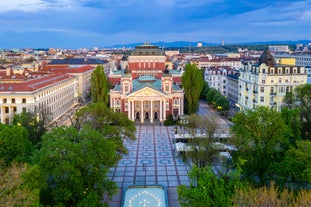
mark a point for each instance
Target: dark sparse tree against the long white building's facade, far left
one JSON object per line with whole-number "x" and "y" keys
{"x": 35, "y": 127}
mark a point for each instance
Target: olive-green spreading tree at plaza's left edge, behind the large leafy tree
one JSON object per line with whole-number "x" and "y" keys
{"x": 113, "y": 125}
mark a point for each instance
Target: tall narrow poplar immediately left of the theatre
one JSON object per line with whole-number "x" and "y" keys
{"x": 99, "y": 86}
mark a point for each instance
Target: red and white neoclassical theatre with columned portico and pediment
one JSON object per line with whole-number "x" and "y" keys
{"x": 146, "y": 90}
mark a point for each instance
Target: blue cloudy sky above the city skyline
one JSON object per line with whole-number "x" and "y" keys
{"x": 100, "y": 23}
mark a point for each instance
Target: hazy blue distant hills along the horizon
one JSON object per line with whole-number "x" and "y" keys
{"x": 180, "y": 44}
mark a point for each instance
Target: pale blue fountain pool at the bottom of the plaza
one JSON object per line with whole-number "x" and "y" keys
{"x": 144, "y": 196}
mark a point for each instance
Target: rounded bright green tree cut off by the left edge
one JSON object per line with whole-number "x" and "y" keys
{"x": 14, "y": 144}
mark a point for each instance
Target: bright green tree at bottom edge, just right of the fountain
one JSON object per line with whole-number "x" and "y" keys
{"x": 206, "y": 189}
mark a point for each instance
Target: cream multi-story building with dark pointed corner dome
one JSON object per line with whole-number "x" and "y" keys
{"x": 266, "y": 83}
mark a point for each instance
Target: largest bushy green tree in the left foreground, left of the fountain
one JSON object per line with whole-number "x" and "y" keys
{"x": 74, "y": 165}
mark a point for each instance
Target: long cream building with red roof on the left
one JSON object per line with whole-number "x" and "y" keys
{"x": 54, "y": 94}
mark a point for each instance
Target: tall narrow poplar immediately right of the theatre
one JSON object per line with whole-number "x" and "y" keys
{"x": 192, "y": 82}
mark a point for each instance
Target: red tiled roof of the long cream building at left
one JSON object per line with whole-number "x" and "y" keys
{"x": 33, "y": 84}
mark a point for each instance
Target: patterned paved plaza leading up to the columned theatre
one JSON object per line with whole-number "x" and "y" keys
{"x": 151, "y": 160}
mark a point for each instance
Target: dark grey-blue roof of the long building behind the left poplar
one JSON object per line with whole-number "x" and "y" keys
{"x": 77, "y": 61}
